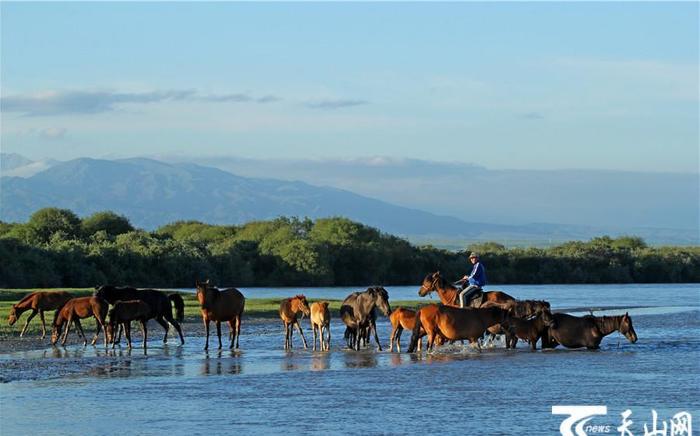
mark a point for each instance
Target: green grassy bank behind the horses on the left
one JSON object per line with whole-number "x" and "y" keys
{"x": 255, "y": 308}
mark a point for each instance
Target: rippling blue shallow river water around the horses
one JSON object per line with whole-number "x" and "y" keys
{"x": 263, "y": 389}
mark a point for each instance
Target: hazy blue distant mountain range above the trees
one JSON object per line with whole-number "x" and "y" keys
{"x": 152, "y": 193}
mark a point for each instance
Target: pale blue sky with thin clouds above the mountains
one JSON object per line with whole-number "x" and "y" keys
{"x": 502, "y": 85}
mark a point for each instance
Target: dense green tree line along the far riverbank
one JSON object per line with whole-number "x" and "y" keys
{"x": 56, "y": 248}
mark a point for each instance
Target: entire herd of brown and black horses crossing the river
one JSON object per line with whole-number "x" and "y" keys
{"x": 492, "y": 313}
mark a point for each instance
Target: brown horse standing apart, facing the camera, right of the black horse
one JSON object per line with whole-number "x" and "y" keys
{"x": 221, "y": 305}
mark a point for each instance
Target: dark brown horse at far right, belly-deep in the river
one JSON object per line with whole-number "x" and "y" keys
{"x": 588, "y": 331}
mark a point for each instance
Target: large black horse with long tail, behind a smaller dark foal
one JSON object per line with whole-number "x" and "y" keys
{"x": 158, "y": 301}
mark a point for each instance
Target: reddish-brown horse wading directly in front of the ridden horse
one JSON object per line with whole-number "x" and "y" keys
{"x": 454, "y": 323}
